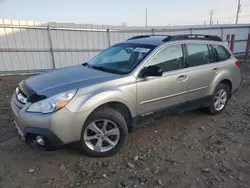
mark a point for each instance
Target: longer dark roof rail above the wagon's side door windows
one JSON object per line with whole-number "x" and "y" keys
{"x": 192, "y": 37}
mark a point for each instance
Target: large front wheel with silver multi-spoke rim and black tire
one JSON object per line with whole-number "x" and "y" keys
{"x": 114, "y": 120}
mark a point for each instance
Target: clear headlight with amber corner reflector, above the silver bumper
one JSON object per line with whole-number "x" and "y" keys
{"x": 53, "y": 103}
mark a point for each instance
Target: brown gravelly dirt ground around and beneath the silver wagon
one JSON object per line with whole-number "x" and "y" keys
{"x": 193, "y": 150}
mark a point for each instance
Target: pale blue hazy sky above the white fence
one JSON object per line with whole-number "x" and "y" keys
{"x": 114, "y": 12}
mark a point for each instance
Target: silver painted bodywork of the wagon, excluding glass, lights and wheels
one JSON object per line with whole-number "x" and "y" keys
{"x": 141, "y": 95}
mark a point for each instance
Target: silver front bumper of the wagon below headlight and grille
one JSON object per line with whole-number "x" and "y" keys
{"x": 59, "y": 128}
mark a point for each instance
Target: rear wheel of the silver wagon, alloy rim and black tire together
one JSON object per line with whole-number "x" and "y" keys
{"x": 220, "y": 99}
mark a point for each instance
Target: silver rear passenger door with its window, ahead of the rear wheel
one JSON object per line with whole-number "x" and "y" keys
{"x": 201, "y": 71}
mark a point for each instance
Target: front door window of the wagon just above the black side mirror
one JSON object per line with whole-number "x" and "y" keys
{"x": 169, "y": 59}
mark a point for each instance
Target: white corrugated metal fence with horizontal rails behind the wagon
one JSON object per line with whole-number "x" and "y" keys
{"x": 29, "y": 46}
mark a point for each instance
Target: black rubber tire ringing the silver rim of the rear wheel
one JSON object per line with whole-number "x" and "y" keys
{"x": 212, "y": 108}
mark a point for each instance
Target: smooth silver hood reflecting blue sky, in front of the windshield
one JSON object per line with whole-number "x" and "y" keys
{"x": 65, "y": 79}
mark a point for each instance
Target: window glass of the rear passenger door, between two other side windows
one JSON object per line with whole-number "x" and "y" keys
{"x": 198, "y": 54}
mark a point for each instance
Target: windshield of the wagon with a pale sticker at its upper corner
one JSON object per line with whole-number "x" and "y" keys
{"x": 121, "y": 58}
